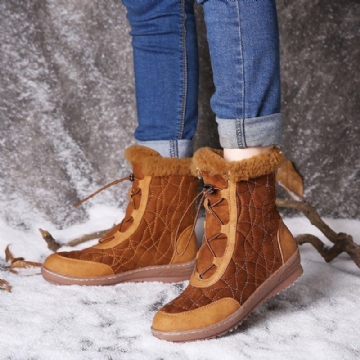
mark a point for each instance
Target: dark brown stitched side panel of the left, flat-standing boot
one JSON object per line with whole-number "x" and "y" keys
{"x": 153, "y": 241}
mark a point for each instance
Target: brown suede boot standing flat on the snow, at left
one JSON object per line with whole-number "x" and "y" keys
{"x": 149, "y": 244}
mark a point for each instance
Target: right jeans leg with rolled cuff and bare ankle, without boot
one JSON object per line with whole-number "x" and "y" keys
{"x": 246, "y": 66}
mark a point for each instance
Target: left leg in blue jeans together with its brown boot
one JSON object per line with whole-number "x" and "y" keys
{"x": 155, "y": 241}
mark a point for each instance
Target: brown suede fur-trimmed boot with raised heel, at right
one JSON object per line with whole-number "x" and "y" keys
{"x": 248, "y": 254}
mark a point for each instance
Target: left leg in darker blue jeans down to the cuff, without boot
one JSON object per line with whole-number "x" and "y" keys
{"x": 166, "y": 74}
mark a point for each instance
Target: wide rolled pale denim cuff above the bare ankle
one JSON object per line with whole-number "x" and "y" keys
{"x": 243, "y": 133}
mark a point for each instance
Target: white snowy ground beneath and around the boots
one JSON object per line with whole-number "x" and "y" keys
{"x": 317, "y": 318}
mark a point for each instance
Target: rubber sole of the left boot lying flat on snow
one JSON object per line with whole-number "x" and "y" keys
{"x": 162, "y": 273}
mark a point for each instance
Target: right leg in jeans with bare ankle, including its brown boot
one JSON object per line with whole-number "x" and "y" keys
{"x": 248, "y": 255}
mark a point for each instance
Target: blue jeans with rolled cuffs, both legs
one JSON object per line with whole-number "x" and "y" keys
{"x": 244, "y": 48}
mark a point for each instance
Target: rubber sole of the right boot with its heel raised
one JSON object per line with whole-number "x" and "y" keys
{"x": 277, "y": 282}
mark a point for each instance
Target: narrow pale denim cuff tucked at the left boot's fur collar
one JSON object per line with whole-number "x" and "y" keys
{"x": 170, "y": 148}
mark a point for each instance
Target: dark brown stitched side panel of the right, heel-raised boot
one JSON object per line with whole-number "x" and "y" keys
{"x": 256, "y": 255}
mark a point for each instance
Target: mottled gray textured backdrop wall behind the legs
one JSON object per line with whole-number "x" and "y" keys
{"x": 67, "y": 106}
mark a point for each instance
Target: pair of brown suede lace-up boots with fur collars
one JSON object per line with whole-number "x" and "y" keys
{"x": 247, "y": 255}
